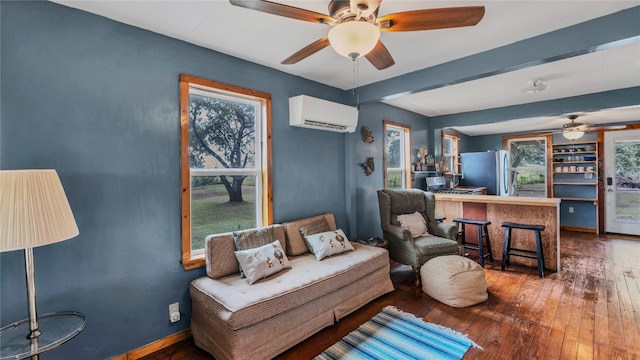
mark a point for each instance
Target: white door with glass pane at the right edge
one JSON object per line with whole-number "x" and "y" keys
{"x": 622, "y": 181}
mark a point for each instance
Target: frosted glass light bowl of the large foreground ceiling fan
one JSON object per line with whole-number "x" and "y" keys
{"x": 353, "y": 39}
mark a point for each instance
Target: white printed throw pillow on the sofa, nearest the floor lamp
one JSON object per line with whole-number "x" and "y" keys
{"x": 258, "y": 263}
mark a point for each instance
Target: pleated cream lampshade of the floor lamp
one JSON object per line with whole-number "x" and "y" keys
{"x": 34, "y": 210}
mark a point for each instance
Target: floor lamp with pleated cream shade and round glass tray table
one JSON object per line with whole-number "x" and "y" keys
{"x": 34, "y": 211}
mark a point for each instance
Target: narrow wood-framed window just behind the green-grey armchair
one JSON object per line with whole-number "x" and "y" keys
{"x": 397, "y": 157}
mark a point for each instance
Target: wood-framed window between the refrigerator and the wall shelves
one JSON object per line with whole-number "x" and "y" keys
{"x": 528, "y": 154}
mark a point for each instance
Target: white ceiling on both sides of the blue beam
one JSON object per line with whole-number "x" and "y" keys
{"x": 268, "y": 39}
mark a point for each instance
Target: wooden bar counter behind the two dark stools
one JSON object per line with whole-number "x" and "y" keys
{"x": 500, "y": 209}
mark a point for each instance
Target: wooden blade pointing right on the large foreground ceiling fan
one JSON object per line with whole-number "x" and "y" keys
{"x": 430, "y": 19}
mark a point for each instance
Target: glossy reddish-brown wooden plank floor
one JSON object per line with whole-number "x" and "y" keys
{"x": 589, "y": 310}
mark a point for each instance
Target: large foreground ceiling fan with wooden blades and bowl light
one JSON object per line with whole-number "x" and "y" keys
{"x": 356, "y": 26}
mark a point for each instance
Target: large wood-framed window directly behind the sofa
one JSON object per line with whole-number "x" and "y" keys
{"x": 225, "y": 147}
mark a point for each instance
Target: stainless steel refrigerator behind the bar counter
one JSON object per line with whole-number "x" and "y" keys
{"x": 488, "y": 169}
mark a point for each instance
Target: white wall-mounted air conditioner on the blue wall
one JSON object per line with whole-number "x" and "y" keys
{"x": 313, "y": 113}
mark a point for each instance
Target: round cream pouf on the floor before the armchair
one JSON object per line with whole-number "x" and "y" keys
{"x": 454, "y": 280}
